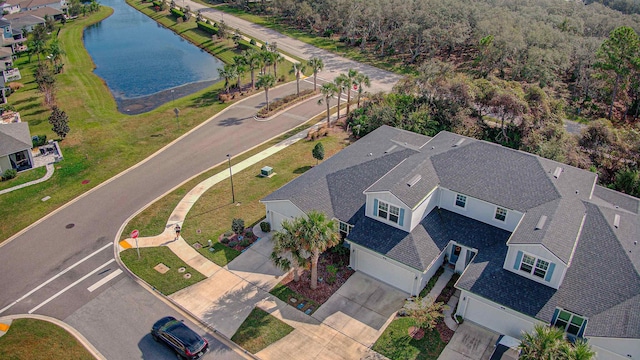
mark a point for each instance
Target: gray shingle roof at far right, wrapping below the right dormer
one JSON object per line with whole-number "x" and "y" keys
{"x": 602, "y": 283}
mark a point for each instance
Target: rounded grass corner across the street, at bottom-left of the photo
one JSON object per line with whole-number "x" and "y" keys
{"x": 40, "y": 340}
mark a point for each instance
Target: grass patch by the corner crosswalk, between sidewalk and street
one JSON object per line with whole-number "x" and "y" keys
{"x": 166, "y": 283}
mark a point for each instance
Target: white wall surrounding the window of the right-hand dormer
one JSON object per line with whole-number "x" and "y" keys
{"x": 541, "y": 252}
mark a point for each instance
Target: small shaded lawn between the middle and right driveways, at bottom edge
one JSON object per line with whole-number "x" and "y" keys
{"x": 396, "y": 344}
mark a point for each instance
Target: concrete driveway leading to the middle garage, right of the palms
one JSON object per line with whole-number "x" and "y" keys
{"x": 361, "y": 308}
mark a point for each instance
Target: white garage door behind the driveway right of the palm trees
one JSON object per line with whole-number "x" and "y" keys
{"x": 384, "y": 271}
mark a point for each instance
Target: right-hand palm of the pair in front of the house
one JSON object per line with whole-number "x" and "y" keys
{"x": 317, "y": 234}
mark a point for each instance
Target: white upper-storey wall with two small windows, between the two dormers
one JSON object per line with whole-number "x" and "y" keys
{"x": 479, "y": 210}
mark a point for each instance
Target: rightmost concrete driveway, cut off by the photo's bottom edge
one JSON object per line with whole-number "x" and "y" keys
{"x": 470, "y": 342}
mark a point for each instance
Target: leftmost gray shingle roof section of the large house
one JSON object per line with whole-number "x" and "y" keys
{"x": 336, "y": 186}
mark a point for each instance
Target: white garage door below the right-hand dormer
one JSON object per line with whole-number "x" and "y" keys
{"x": 496, "y": 319}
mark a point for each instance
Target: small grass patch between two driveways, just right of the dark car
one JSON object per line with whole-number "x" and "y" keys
{"x": 259, "y": 330}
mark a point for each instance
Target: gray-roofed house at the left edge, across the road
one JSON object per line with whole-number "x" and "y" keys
{"x": 15, "y": 147}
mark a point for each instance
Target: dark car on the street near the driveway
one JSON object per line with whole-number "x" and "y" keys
{"x": 184, "y": 341}
